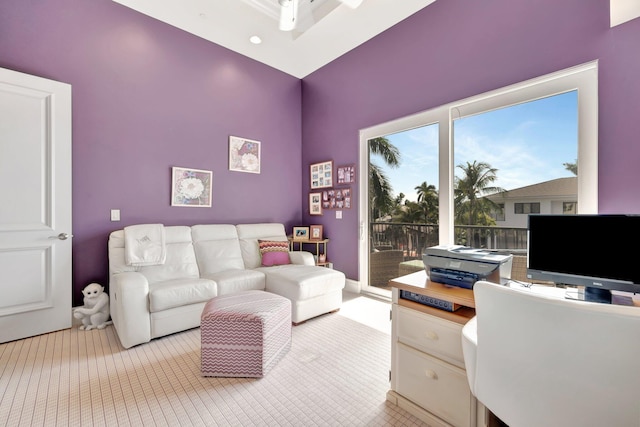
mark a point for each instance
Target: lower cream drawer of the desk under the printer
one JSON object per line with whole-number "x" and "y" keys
{"x": 437, "y": 386}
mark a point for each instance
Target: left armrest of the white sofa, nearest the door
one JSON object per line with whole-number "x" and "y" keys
{"x": 129, "y": 306}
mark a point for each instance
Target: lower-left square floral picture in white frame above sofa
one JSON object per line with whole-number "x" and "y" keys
{"x": 191, "y": 187}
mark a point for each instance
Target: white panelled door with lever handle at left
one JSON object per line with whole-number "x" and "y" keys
{"x": 35, "y": 205}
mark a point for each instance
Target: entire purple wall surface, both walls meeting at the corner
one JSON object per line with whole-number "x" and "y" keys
{"x": 147, "y": 96}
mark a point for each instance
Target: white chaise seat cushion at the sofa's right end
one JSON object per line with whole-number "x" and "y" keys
{"x": 301, "y": 282}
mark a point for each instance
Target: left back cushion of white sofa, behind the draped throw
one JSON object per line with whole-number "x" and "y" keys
{"x": 179, "y": 264}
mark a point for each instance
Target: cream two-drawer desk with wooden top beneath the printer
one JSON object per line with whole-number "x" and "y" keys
{"x": 428, "y": 376}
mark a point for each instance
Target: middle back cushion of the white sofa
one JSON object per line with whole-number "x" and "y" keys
{"x": 217, "y": 248}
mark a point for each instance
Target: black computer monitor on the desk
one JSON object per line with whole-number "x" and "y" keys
{"x": 599, "y": 252}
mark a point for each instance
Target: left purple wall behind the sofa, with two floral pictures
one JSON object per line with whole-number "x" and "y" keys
{"x": 146, "y": 97}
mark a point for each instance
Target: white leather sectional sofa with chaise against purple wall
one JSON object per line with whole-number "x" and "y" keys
{"x": 203, "y": 261}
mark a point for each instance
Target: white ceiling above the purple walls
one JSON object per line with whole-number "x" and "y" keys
{"x": 326, "y": 28}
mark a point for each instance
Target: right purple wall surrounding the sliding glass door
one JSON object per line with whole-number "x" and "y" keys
{"x": 454, "y": 49}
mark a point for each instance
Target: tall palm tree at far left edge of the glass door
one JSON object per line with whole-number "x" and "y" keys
{"x": 381, "y": 199}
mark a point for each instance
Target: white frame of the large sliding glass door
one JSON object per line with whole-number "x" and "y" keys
{"x": 582, "y": 79}
